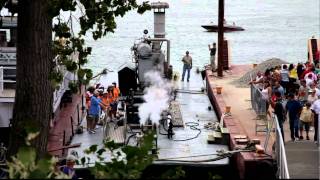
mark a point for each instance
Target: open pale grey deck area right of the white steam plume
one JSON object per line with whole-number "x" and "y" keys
{"x": 191, "y": 107}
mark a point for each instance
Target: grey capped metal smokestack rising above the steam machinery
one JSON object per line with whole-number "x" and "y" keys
{"x": 159, "y": 9}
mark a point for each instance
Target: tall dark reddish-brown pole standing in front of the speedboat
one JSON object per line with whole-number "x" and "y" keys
{"x": 220, "y": 38}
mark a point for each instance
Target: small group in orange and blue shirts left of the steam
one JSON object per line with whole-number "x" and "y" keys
{"x": 101, "y": 100}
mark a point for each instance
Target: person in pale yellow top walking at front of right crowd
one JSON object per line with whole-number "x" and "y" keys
{"x": 306, "y": 118}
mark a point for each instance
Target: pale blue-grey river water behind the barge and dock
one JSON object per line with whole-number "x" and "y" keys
{"x": 273, "y": 28}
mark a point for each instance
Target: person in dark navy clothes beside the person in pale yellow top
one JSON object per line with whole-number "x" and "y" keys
{"x": 293, "y": 107}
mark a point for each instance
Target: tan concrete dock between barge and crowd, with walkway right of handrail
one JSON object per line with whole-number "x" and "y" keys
{"x": 301, "y": 156}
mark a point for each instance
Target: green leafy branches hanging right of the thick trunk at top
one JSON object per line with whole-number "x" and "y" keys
{"x": 98, "y": 17}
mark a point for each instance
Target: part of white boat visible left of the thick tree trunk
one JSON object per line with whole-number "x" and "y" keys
{"x": 8, "y": 28}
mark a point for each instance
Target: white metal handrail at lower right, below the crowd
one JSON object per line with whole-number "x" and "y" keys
{"x": 283, "y": 172}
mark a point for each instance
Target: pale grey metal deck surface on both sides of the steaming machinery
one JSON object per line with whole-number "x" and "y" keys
{"x": 194, "y": 109}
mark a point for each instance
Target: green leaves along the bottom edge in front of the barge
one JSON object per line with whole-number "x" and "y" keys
{"x": 126, "y": 162}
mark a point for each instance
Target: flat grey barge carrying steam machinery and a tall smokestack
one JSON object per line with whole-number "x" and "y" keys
{"x": 185, "y": 106}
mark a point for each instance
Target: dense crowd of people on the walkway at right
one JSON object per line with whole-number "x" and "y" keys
{"x": 292, "y": 92}
